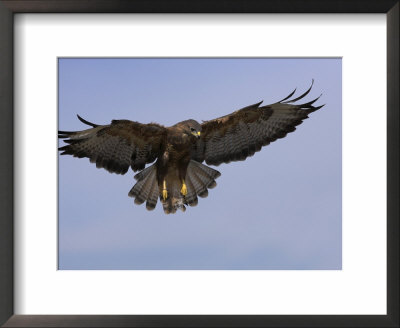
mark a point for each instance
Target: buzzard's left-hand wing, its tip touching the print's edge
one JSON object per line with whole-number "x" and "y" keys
{"x": 116, "y": 146}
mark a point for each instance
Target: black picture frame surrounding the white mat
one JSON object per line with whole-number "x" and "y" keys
{"x": 10, "y": 7}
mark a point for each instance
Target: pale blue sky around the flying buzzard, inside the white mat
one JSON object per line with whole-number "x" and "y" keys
{"x": 279, "y": 210}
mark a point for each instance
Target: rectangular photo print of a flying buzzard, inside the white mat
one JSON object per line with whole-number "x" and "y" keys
{"x": 200, "y": 164}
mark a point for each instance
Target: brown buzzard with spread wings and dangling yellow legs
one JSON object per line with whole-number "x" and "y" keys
{"x": 178, "y": 176}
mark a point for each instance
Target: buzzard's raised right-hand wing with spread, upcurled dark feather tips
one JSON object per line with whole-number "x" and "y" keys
{"x": 236, "y": 136}
